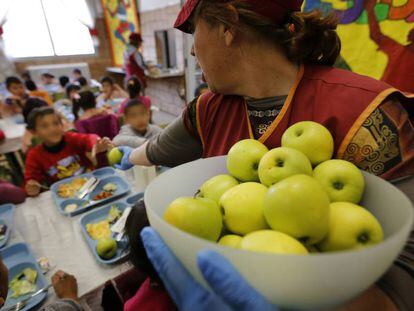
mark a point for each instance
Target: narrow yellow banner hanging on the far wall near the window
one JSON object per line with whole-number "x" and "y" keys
{"x": 121, "y": 18}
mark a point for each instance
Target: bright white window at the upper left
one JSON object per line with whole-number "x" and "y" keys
{"x": 36, "y": 28}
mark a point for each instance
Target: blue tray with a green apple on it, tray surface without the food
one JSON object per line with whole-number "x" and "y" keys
{"x": 101, "y": 214}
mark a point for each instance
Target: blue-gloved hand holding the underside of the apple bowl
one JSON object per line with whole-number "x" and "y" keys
{"x": 230, "y": 290}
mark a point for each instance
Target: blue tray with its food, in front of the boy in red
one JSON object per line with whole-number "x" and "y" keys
{"x": 78, "y": 194}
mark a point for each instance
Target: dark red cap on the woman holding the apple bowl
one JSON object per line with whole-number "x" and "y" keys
{"x": 275, "y": 10}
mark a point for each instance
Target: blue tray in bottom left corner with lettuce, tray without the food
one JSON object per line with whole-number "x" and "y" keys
{"x": 16, "y": 258}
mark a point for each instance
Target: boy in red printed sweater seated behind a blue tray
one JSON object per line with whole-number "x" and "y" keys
{"x": 60, "y": 155}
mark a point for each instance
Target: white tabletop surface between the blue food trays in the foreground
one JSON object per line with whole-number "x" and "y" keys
{"x": 59, "y": 238}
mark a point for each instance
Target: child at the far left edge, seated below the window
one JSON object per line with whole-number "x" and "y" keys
{"x": 15, "y": 103}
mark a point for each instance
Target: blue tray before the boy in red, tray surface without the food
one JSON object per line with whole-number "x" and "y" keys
{"x": 104, "y": 175}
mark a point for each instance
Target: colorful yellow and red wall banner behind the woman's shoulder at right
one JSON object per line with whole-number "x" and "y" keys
{"x": 370, "y": 42}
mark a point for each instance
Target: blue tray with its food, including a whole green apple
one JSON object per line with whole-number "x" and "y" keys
{"x": 102, "y": 229}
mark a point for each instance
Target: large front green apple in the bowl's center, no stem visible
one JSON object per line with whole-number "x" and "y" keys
{"x": 299, "y": 207}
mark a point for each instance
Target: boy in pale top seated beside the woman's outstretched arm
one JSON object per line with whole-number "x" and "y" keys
{"x": 138, "y": 128}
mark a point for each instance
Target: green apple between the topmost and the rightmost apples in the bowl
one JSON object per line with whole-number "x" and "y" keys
{"x": 342, "y": 180}
